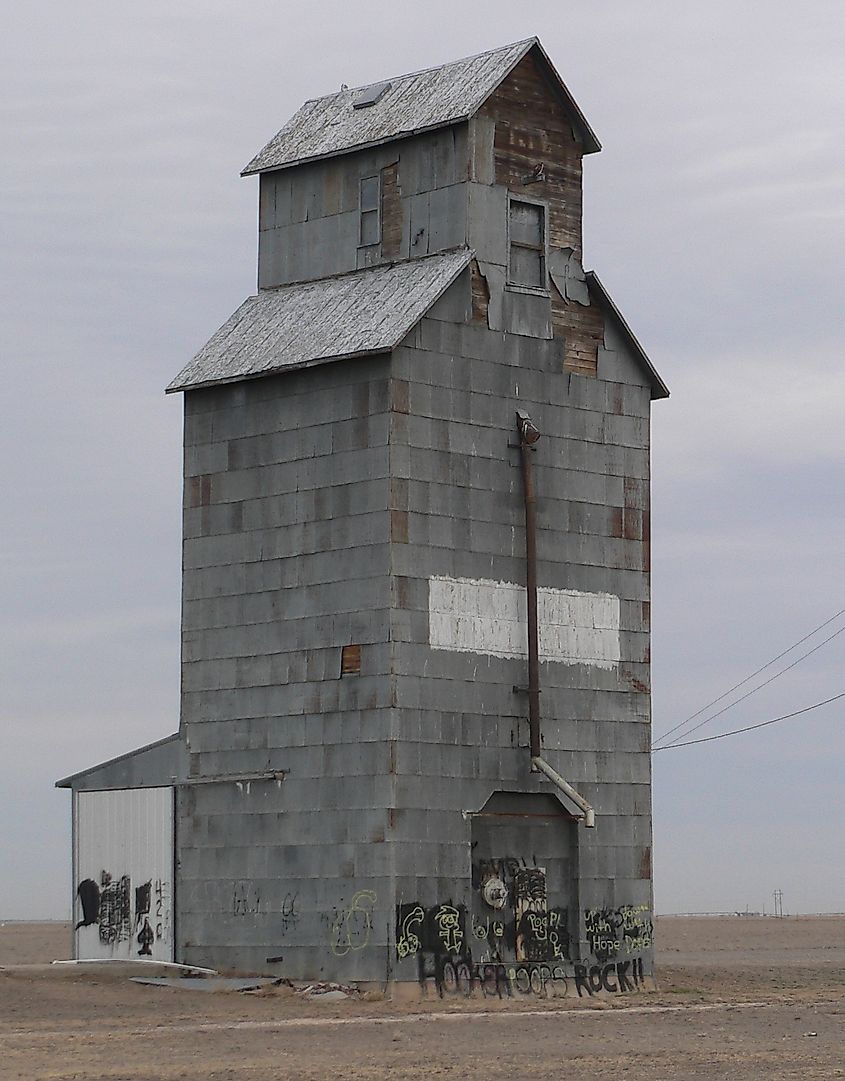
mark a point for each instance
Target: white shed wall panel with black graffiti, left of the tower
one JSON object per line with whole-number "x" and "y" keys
{"x": 124, "y": 872}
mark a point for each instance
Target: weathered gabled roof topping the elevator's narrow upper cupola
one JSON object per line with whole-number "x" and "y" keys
{"x": 408, "y": 104}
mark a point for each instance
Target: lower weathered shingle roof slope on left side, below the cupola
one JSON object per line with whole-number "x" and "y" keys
{"x": 315, "y": 323}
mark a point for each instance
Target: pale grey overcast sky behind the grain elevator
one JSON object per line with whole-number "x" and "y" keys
{"x": 716, "y": 217}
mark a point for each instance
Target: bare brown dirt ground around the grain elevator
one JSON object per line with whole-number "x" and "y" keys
{"x": 745, "y": 999}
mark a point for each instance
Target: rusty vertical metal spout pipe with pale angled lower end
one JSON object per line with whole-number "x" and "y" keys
{"x": 529, "y": 435}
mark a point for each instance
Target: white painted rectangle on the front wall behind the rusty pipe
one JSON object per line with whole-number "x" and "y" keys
{"x": 479, "y": 616}
